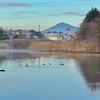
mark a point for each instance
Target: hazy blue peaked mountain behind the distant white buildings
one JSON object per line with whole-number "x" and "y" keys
{"x": 61, "y": 27}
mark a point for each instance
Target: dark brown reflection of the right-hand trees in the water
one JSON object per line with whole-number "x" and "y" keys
{"x": 90, "y": 68}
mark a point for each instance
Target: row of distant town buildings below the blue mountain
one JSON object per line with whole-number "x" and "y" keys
{"x": 31, "y": 34}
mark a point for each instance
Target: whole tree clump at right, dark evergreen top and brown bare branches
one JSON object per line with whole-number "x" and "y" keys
{"x": 90, "y": 27}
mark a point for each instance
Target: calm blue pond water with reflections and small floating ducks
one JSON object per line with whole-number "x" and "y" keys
{"x": 49, "y": 76}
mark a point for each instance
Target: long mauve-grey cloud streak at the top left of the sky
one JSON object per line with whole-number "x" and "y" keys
{"x": 15, "y": 4}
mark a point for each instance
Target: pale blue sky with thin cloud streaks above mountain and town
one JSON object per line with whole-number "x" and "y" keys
{"x": 28, "y": 14}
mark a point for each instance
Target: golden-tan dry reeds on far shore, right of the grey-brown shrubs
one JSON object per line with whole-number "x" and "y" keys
{"x": 69, "y": 46}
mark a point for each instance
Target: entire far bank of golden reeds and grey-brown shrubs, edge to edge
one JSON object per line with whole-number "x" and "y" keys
{"x": 67, "y": 46}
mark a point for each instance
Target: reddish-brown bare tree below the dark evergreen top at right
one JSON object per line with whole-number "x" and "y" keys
{"x": 88, "y": 31}
